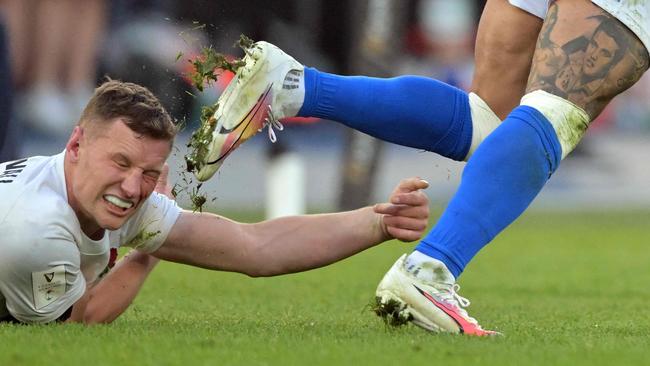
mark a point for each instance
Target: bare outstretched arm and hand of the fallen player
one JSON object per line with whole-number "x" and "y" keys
{"x": 295, "y": 243}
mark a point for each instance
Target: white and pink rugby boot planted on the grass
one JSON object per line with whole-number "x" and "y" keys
{"x": 430, "y": 300}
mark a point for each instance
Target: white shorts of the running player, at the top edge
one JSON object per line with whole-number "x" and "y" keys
{"x": 635, "y": 14}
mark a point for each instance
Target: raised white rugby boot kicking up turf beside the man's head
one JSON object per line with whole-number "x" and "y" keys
{"x": 268, "y": 87}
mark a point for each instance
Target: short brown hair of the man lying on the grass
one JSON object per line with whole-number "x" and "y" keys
{"x": 135, "y": 104}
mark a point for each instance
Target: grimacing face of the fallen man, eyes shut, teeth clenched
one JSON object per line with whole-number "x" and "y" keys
{"x": 114, "y": 170}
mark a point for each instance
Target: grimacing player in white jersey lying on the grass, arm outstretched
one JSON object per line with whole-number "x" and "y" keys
{"x": 61, "y": 215}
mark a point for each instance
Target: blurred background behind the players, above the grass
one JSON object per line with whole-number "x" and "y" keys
{"x": 54, "y": 52}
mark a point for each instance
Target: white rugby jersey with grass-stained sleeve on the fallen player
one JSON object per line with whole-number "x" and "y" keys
{"x": 45, "y": 258}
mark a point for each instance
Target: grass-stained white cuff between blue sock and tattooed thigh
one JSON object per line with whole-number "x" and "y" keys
{"x": 569, "y": 121}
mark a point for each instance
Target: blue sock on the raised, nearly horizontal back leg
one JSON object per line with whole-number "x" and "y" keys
{"x": 412, "y": 111}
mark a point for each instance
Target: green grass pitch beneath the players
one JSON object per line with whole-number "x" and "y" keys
{"x": 564, "y": 288}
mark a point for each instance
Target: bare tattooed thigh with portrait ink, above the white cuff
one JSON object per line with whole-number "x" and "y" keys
{"x": 588, "y": 58}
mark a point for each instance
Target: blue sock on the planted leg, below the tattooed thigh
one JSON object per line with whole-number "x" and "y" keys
{"x": 501, "y": 179}
